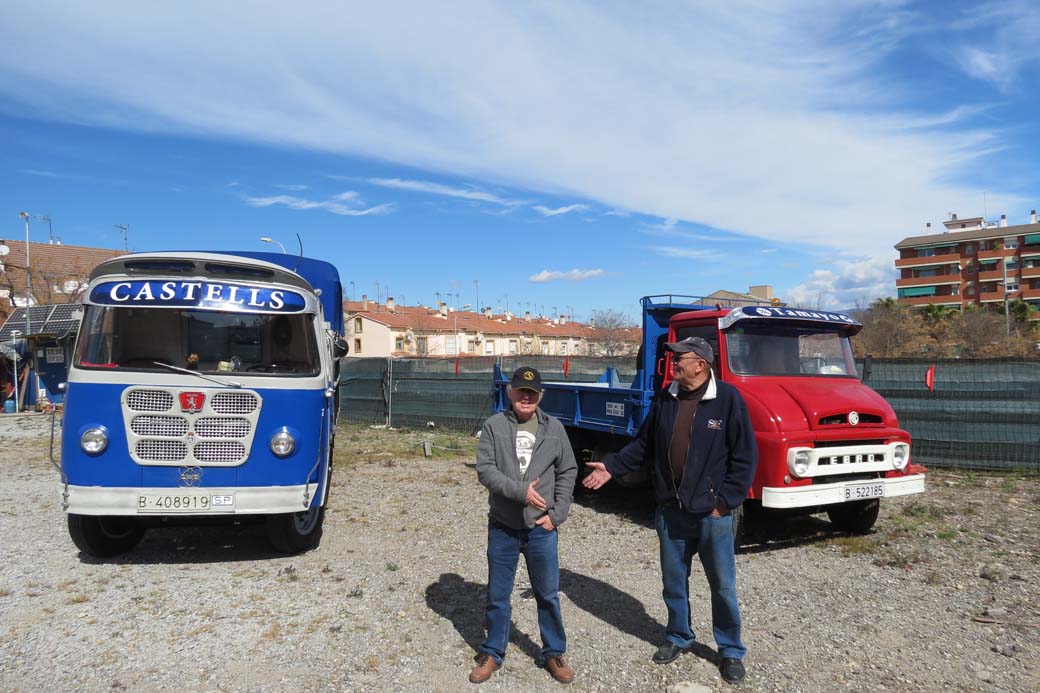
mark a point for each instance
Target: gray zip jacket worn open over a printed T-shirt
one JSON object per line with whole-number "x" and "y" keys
{"x": 552, "y": 464}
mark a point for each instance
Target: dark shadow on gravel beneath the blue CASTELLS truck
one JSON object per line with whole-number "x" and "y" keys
{"x": 218, "y": 544}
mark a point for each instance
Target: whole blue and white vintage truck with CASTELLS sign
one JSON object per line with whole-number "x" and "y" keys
{"x": 203, "y": 386}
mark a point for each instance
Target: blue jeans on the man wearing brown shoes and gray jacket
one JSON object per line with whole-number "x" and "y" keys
{"x": 539, "y": 548}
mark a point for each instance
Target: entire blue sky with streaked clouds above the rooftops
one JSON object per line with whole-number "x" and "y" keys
{"x": 543, "y": 155}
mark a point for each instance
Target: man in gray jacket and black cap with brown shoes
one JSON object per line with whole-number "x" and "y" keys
{"x": 526, "y": 460}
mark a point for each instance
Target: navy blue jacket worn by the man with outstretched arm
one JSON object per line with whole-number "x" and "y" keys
{"x": 722, "y": 458}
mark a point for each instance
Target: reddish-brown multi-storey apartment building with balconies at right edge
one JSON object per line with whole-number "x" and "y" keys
{"x": 973, "y": 263}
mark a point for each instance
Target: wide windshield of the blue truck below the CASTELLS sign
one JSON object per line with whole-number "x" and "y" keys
{"x": 137, "y": 339}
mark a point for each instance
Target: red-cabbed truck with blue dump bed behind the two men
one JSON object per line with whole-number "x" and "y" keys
{"x": 827, "y": 443}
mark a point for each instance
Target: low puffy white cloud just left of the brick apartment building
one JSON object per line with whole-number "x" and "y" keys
{"x": 853, "y": 285}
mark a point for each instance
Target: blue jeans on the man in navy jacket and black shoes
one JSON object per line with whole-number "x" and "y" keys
{"x": 683, "y": 535}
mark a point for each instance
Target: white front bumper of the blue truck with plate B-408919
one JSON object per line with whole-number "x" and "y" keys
{"x": 244, "y": 501}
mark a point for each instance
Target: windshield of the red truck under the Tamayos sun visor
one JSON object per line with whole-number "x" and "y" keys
{"x": 788, "y": 350}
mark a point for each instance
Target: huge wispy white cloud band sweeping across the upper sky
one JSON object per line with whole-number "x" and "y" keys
{"x": 782, "y": 121}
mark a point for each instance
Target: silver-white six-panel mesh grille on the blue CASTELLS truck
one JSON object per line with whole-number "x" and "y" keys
{"x": 220, "y": 434}
